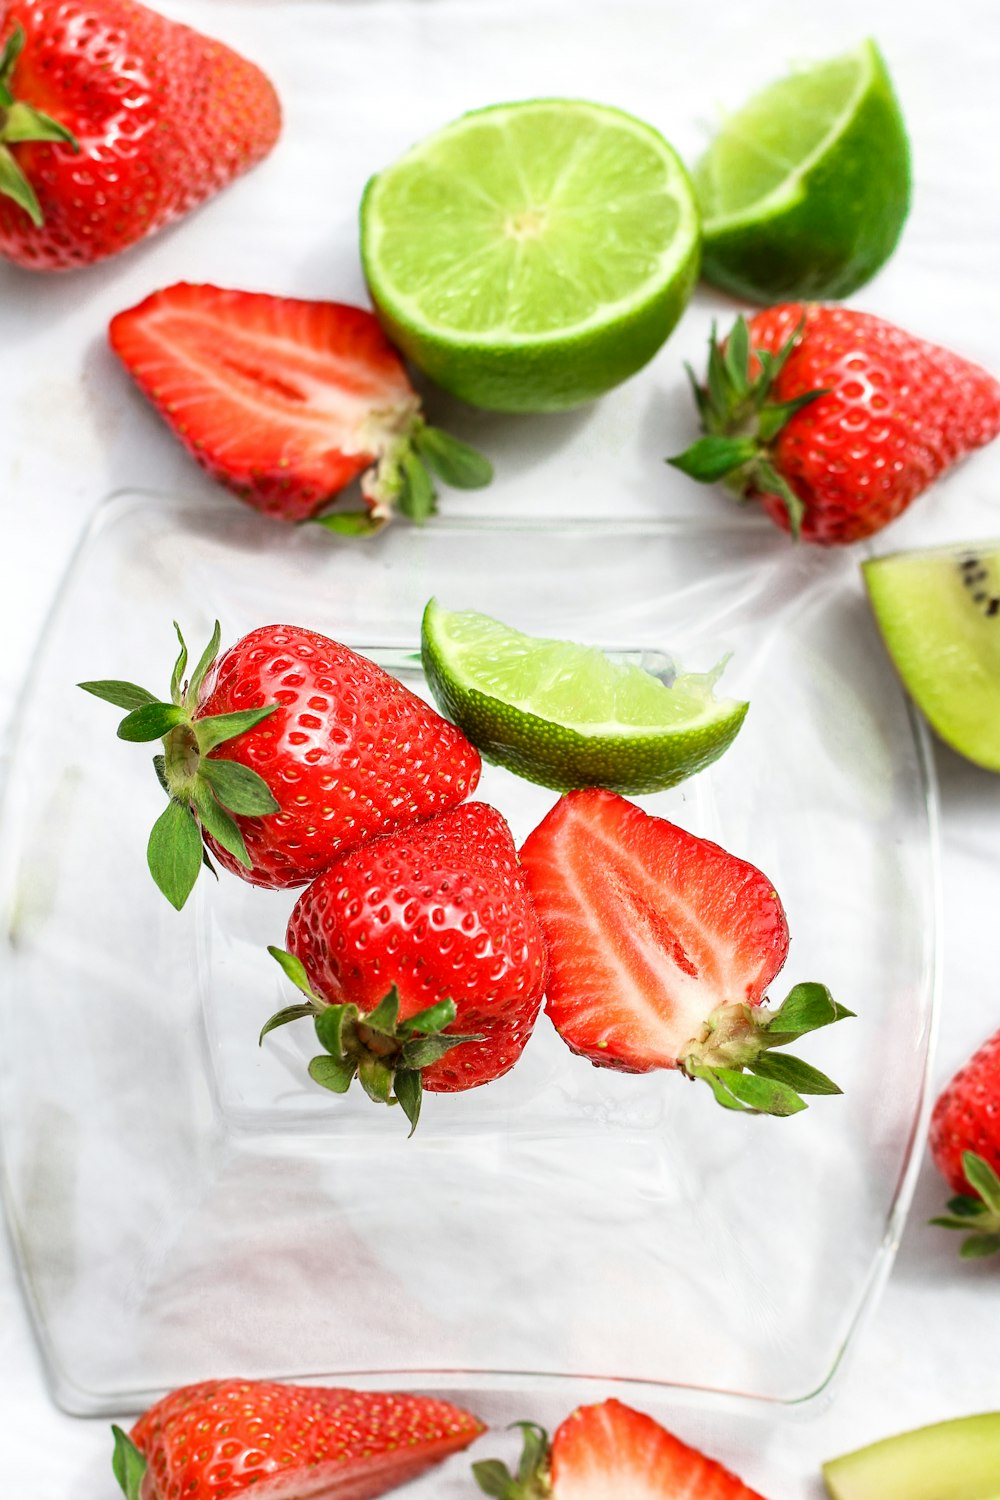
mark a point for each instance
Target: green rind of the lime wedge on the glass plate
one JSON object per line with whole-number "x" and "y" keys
{"x": 629, "y": 758}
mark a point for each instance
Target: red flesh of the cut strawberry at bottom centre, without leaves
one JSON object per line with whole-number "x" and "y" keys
{"x": 612, "y": 1451}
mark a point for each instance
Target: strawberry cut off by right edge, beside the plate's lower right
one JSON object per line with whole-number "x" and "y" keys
{"x": 965, "y": 1142}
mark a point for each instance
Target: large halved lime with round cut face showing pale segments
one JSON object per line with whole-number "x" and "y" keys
{"x": 533, "y": 256}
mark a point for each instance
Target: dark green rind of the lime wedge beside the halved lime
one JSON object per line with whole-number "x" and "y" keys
{"x": 834, "y": 221}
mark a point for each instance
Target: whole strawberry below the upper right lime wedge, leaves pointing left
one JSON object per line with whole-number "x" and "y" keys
{"x": 836, "y": 421}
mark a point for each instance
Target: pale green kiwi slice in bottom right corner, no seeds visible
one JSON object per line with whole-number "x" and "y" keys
{"x": 957, "y": 1460}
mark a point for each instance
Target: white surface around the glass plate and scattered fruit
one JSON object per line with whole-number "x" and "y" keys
{"x": 74, "y": 431}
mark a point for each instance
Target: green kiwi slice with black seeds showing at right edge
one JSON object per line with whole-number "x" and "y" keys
{"x": 939, "y": 613}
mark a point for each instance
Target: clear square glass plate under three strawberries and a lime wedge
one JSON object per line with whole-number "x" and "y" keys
{"x": 187, "y": 1204}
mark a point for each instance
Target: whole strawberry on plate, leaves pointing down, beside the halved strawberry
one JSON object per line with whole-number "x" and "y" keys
{"x": 412, "y": 941}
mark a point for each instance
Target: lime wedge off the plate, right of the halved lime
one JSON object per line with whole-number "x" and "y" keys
{"x": 806, "y": 190}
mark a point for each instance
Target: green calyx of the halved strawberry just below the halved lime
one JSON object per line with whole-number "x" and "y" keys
{"x": 412, "y": 454}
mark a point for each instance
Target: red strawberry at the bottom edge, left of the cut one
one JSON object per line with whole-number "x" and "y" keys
{"x": 229, "y": 1438}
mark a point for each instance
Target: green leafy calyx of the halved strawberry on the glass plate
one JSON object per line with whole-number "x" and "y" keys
{"x": 734, "y": 1054}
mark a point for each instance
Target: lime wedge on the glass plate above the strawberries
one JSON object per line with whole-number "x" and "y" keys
{"x": 569, "y": 716}
